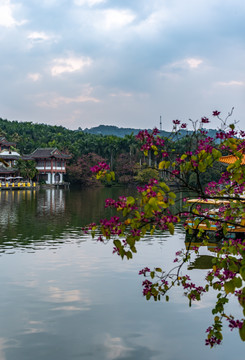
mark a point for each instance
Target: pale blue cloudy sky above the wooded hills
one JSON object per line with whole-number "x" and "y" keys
{"x": 82, "y": 63}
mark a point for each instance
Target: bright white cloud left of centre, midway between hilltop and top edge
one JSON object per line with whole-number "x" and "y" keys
{"x": 69, "y": 65}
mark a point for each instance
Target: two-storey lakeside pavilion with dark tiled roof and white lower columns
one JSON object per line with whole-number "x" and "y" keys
{"x": 51, "y": 164}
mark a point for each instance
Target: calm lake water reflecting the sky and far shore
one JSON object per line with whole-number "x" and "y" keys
{"x": 64, "y": 296}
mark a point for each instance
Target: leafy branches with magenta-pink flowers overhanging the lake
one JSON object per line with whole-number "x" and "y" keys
{"x": 218, "y": 207}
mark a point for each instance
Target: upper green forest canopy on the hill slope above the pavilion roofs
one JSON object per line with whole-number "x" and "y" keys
{"x": 28, "y": 136}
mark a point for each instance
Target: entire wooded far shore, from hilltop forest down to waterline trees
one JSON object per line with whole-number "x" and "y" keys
{"x": 122, "y": 153}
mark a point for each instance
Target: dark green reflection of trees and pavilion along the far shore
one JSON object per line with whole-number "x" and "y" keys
{"x": 35, "y": 216}
